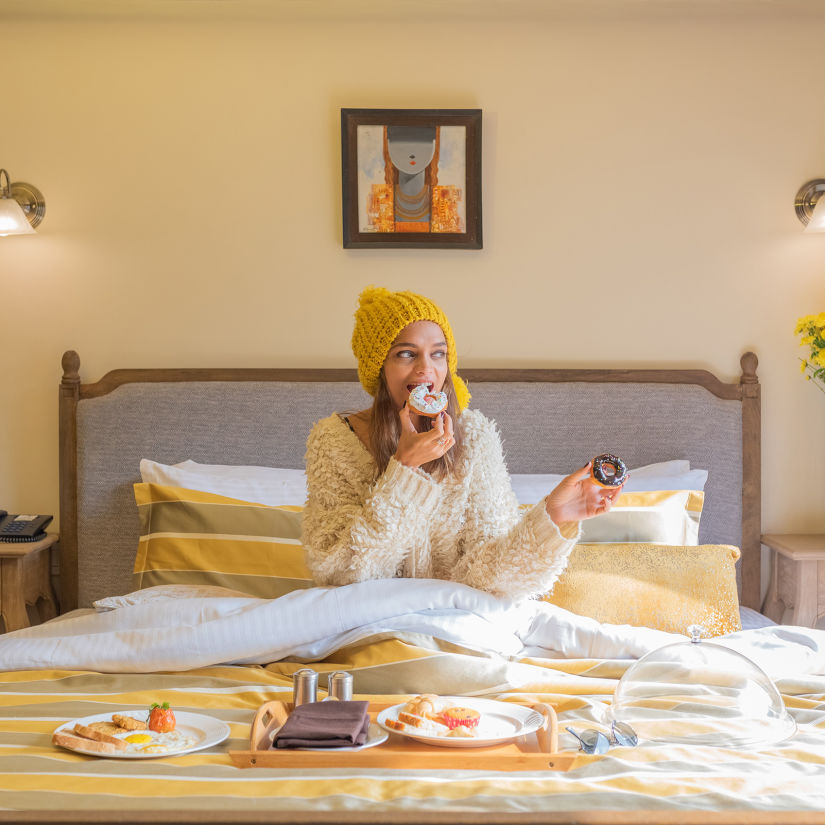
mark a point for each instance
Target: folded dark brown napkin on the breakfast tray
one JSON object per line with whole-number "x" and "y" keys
{"x": 325, "y": 725}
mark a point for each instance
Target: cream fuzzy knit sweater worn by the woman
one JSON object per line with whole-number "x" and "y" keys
{"x": 359, "y": 524}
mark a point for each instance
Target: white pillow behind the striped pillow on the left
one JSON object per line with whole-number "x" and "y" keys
{"x": 275, "y": 486}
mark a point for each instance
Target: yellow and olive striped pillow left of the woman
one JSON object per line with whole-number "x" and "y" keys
{"x": 193, "y": 537}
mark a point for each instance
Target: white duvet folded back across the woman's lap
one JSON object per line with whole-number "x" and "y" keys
{"x": 180, "y": 633}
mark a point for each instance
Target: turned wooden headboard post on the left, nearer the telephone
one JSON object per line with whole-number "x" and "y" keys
{"x": 69, "y": 396}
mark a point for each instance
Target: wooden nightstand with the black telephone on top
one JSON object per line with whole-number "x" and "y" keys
{"x": 25, "y": 579}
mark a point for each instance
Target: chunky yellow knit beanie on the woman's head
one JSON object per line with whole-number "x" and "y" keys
{"x": 380, "y": 316}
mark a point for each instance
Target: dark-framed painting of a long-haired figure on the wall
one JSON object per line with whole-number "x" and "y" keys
{"x": 411, "y": 178}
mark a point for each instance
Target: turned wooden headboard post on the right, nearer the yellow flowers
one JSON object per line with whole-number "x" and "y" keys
{"x": 751, "y": 482}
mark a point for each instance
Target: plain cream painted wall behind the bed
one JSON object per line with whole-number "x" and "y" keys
{"x": 639, "y": 177}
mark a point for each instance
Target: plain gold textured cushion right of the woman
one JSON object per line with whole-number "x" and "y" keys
{"x": 653, "y": 585}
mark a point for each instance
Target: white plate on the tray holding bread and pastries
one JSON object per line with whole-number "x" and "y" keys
{"x": 500, "y": 722}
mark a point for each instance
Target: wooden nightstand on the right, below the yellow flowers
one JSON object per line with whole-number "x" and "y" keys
{"x": 797, "y": 568}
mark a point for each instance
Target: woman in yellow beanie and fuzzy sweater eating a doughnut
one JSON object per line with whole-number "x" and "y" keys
{"x": 391, "y": 493}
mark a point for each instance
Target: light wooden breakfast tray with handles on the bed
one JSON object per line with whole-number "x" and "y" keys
{"x": 533, "y": 752}
